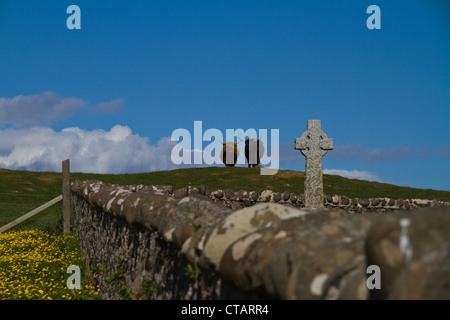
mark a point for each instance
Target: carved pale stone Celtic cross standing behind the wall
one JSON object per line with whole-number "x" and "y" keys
{"x": 313, "y": 144}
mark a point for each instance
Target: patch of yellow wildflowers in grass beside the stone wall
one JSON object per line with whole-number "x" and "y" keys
{"x": 33, "y": 265}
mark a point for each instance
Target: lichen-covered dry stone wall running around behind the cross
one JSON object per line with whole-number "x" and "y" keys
{"x": 153, "y": 242}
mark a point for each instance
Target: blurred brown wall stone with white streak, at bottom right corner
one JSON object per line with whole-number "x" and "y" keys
{"x": 414, "y": 259}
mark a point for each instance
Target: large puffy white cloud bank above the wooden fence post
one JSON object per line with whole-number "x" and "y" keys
{"x": 97, "y": 151}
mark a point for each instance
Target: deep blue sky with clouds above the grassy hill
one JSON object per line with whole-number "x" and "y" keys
{"x": 110, "y": 95}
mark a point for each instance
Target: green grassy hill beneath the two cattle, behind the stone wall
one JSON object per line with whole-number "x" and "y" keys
{"x": 22, "y": 191}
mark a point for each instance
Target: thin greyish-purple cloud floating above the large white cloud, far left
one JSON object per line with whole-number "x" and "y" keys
{"x": 44, "y": 108}
